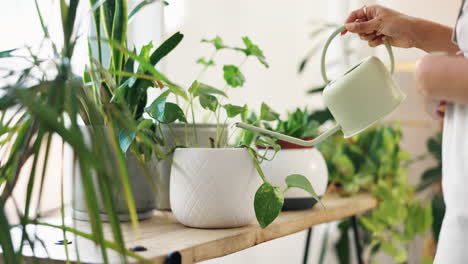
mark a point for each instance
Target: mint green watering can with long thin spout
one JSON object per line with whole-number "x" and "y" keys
{"x": 359, "y": 98}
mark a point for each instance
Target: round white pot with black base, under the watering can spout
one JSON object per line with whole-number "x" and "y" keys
{"x": 292, "y": 159}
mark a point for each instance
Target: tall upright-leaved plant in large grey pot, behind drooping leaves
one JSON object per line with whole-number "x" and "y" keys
{"x": 124, "y": 84}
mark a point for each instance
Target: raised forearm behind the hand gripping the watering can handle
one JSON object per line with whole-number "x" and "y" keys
{"x": 432, "y": 37}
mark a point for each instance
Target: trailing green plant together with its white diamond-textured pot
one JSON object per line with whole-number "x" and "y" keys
{"x": 216, "y": 187}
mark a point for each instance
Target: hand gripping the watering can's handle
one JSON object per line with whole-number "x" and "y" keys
{"x": 378, "y": 24}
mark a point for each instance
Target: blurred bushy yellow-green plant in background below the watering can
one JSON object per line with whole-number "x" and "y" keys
{"x": 373, "y": 161}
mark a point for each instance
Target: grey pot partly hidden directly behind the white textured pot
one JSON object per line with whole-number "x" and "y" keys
{"x": 204, "y": 132}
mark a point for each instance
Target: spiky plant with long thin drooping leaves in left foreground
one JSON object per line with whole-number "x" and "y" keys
{"x": 45, "y": 100}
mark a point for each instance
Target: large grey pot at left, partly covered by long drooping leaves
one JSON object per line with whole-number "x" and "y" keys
{"x": 142, "y": 181}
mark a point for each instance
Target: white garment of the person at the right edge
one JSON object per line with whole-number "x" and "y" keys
{"x": 453, "y": 240}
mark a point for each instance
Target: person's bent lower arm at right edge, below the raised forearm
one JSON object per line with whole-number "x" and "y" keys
{"x": 443, "y": 78}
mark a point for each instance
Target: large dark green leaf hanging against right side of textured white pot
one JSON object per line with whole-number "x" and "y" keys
{"x": 268, "y": 204}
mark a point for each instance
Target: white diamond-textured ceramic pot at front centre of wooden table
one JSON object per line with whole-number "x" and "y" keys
{"x": 213, "y": 187}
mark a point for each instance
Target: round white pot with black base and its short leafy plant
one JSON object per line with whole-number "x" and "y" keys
{"x": 307, "y": 161}
